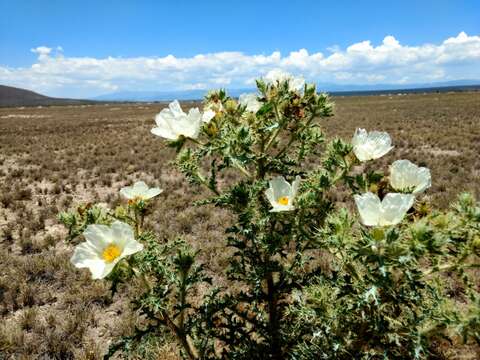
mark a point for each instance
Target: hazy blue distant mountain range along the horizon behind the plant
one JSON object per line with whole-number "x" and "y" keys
{"x": 334, "y": 89}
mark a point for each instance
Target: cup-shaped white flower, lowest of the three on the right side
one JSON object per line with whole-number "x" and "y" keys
{"x": 390, "y": 211}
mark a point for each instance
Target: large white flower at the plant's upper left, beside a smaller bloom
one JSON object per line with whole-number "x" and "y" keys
{"x": 174, "y": 122}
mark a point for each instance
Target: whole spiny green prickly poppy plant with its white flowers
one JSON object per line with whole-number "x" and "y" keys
{"x": 310, "y": 277}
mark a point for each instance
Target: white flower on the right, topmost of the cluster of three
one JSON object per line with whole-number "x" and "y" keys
{"x": 369, "y": 146}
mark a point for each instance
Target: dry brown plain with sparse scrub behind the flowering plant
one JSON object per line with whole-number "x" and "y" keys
{"x": 53, "y": 158}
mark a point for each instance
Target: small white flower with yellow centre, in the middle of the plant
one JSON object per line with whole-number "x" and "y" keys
{"x": 281, "y": 194}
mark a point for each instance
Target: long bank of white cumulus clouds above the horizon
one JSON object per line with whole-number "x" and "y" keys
{"x": 391, "y": 62}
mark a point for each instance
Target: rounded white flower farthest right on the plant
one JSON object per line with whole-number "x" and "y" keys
{"x": 406, "y": 176}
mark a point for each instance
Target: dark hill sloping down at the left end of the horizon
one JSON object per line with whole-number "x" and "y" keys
{"x": 12, "y": 96}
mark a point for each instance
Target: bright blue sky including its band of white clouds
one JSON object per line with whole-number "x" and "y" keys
{"x": 123, "y": 30}
